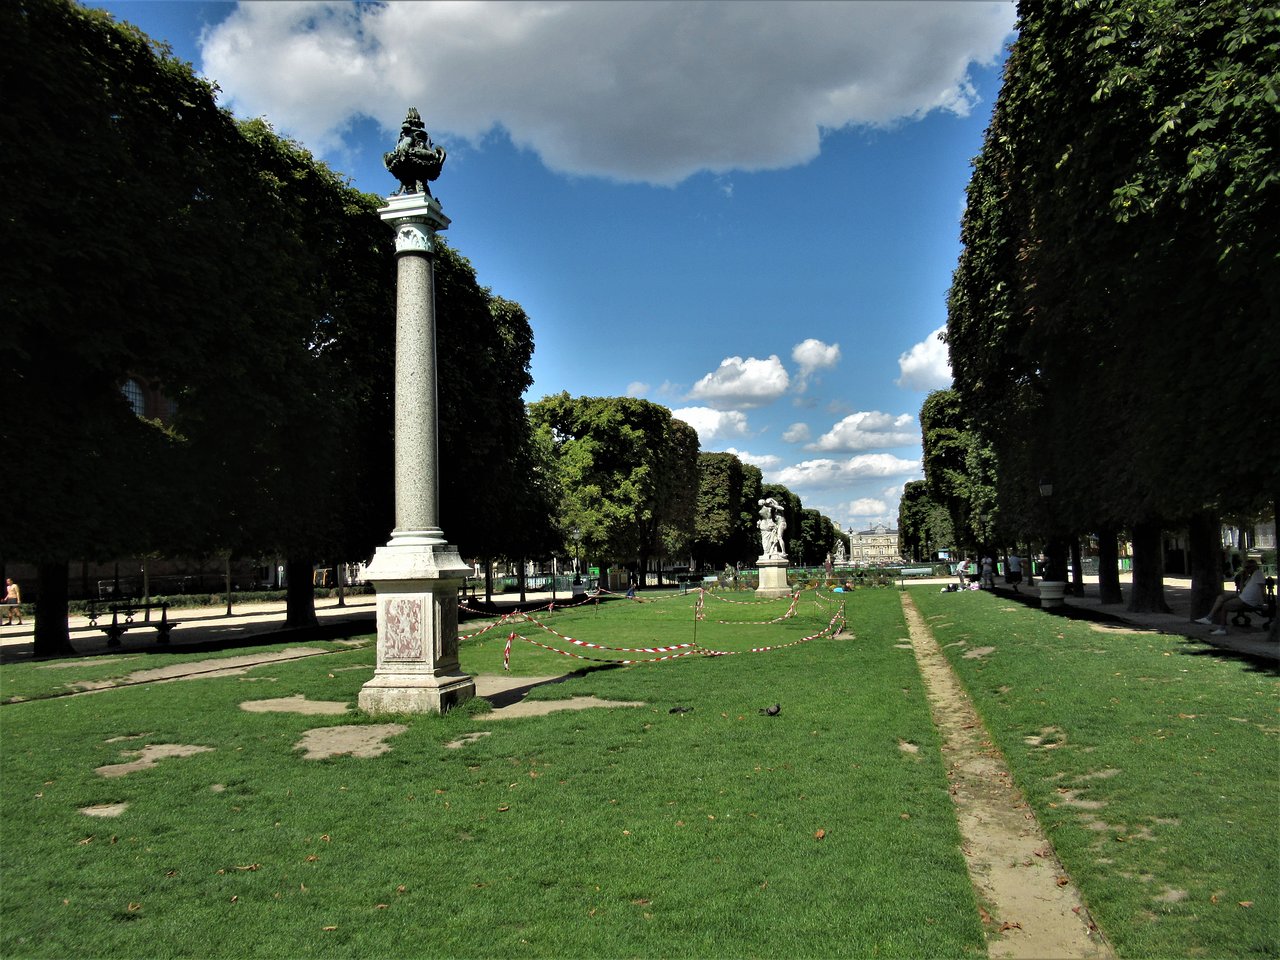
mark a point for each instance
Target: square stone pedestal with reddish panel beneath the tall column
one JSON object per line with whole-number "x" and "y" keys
{"x": 418, "y": 630}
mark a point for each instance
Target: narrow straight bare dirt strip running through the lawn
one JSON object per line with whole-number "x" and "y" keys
{"x": 1031, "y": 909}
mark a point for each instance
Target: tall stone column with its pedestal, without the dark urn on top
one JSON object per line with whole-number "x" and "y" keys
{"x": 418, "y": 574}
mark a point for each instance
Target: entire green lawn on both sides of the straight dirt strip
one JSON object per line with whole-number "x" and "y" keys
{"x": 1153, "y": 766}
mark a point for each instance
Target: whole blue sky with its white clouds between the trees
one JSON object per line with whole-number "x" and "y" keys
{"x": 746, "y": 212}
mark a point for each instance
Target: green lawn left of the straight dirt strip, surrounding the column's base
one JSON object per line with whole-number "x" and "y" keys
{"x": 606, "y": 833}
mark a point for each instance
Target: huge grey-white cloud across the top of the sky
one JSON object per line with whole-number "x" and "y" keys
{"x": 639, "y": 92}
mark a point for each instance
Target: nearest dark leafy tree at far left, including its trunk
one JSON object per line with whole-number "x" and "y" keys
{"x": 126, "y": 167}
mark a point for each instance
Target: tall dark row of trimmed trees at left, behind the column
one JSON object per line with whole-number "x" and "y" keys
{"x": 149, "y": 235}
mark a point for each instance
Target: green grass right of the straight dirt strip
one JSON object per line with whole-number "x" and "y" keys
{"x": 1151, "y": 762}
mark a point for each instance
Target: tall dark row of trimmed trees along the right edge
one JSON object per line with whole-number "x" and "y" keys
{"x": 1113, "y": 319}
